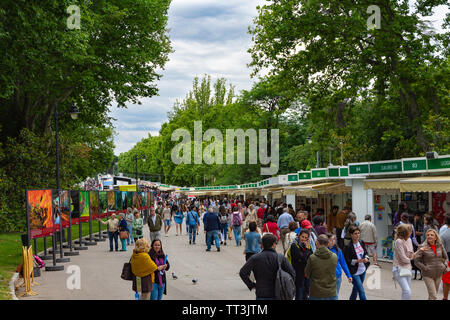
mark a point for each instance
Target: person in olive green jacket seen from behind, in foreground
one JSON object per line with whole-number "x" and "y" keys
{"x": 321, "y": 270}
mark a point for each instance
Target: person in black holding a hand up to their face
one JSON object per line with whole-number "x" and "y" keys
{"x": 300, "y": 250}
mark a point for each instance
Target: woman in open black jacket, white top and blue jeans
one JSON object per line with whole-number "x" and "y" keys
{"x": 357, "y": 259}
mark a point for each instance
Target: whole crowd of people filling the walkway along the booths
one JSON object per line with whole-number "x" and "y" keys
{"x": 315, "y": 249}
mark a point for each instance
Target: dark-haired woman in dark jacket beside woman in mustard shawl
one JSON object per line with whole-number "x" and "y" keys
{"x": 156, "y": 253}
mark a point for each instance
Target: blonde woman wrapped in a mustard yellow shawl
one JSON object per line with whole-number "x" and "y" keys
{"x": 143, "y": 268}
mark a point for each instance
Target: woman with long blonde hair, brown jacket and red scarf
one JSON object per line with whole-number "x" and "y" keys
{"x": 432, "y": 260}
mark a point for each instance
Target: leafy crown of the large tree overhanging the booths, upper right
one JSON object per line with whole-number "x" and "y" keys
{"x": 324, "y": 50}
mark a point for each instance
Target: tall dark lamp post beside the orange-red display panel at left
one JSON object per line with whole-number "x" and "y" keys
{"x": 74, "y": 115}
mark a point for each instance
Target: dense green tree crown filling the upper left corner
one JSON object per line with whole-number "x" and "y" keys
{"x": 112, "y": 57}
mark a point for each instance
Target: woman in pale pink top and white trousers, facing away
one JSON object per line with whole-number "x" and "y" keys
{"x": 403, "y": 254}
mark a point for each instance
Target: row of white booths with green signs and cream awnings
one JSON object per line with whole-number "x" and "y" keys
{"x": 374, "y": 188}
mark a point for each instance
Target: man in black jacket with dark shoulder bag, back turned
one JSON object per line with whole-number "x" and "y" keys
{"x": 265, "y": 266}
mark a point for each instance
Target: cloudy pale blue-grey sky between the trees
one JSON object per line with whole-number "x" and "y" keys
{"x": 209, "y": 37}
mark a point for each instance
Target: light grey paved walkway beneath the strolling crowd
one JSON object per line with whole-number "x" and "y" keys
{"x": 217, "y": 274}
